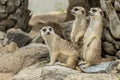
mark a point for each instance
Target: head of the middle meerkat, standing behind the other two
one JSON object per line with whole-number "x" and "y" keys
{"x": 78, "y": 11}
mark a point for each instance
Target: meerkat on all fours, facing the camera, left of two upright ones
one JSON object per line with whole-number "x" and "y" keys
{"x": 60, "y": 49}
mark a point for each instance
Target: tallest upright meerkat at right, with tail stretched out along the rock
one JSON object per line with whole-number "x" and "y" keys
{"x": 92, "y": 39}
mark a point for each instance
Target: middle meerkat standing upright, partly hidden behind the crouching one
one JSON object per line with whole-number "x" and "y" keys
{"x": 79, "y": 25}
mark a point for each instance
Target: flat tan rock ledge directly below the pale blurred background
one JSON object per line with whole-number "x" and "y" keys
{"x": 54, "y": 17}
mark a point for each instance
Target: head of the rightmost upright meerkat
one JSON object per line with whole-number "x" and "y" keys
{"x": 95, "y": 12}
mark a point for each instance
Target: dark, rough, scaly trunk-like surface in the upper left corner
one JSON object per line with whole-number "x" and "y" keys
{"x": 11, "y": 11}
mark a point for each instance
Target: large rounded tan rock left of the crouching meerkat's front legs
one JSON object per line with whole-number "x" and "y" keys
{"x": 23, "y": 57}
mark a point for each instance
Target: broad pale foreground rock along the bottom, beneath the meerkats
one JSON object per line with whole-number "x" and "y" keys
{"x": 36, "y": 72}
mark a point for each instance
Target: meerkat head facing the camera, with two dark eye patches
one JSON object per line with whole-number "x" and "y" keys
{"x": 47, "y": 30}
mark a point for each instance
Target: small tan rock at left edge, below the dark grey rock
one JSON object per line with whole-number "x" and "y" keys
{"x": 9, "y": 48}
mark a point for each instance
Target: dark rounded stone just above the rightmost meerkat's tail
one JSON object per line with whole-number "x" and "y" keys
{"x": 109, "y": 48}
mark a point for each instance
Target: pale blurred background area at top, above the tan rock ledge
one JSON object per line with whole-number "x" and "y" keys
{"x": 43, "y": 6}
